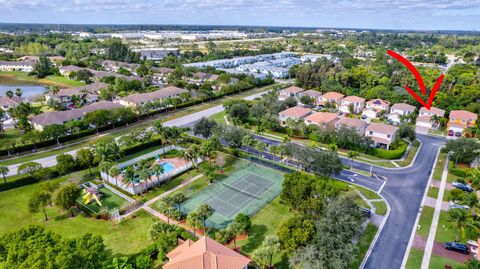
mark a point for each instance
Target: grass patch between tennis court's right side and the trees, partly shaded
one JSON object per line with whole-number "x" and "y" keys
{"x": 266, "y": 222}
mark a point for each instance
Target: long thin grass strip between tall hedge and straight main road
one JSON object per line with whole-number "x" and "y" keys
{"x": 124, "y": 130}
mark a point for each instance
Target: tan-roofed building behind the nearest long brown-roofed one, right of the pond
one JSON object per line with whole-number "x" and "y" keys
{"x": 87, "y": 94}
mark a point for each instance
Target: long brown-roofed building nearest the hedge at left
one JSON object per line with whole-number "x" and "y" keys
{"x": 62, "y": 117}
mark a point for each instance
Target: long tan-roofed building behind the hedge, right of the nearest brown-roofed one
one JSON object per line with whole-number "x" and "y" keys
{"x": 140, "y": 99}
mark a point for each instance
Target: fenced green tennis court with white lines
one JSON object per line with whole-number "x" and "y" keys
{"x": 246, "y": 190}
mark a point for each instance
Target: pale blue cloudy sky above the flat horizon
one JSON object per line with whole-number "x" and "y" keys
{"x": 380, "y": 14}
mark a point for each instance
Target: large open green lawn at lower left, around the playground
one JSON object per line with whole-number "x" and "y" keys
{"x": 124, "y": 238}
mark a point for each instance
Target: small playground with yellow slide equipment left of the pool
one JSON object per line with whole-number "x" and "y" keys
{"x": 97, "y": 199}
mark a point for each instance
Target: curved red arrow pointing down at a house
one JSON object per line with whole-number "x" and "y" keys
{"x": 420, "y": 82}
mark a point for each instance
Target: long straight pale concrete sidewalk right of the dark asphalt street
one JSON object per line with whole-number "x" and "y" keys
{"x": 436, "y": 215}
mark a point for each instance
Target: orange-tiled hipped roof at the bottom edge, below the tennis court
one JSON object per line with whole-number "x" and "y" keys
{"x": 206, "y": 253}
